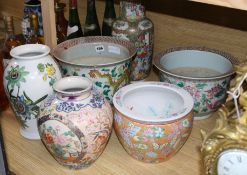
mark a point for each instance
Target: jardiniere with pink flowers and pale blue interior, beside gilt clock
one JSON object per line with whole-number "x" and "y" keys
{"x": 205, "y": 73}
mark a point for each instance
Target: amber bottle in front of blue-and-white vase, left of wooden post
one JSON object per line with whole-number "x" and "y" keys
{"x": 34, "y": 30}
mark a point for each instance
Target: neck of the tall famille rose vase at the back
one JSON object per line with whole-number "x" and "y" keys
{"x": 131, "y": 10}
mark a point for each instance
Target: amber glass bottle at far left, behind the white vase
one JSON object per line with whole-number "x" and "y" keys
{"x": 10, "y": 40}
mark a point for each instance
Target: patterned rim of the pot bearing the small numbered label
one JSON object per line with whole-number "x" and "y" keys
{"x": 95, "y": 40}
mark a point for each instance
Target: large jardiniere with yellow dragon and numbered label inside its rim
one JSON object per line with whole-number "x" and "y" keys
{"x": 104, "y": 60}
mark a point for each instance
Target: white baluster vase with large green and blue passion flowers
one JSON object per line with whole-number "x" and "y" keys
{"x": 28, "y": 81}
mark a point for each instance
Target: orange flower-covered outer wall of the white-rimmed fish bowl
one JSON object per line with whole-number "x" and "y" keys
{"x": 152, "y": 142}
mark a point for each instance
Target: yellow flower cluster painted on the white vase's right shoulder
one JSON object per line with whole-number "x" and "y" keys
{"x": 48, "y": 72}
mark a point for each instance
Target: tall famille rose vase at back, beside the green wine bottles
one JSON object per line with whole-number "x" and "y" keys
{"x": 135, "y": 27}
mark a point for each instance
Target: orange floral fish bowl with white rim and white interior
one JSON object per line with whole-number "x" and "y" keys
{"x": 152, "y": 120}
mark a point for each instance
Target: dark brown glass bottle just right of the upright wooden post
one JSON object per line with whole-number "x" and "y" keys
{"x": 61, "y": 22}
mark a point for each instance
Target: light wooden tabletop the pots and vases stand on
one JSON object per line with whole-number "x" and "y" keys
{"x": 28, "y": 157}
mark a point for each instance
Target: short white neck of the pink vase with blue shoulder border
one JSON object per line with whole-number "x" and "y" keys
{"x": 73, "y": 88}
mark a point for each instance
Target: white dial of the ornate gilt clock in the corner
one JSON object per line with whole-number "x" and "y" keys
{"x": 232, "y": 162}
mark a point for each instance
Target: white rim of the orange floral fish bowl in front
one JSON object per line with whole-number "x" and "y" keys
{"x": 188, "y": 105}
